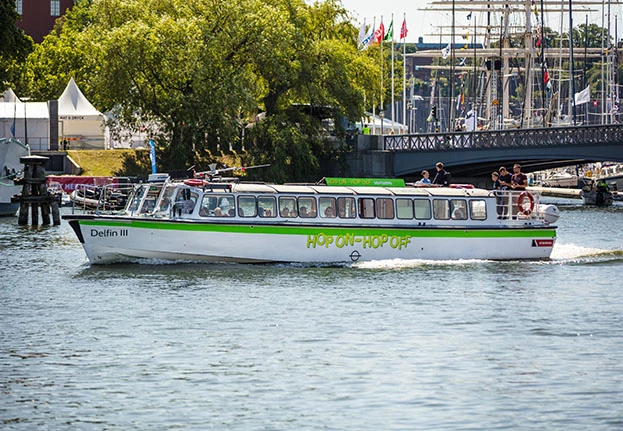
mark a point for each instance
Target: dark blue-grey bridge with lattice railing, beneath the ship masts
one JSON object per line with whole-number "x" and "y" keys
{"x": 477, "y": 154}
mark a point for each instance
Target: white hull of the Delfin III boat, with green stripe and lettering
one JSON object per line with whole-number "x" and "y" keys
{"x": 114, "y": 239}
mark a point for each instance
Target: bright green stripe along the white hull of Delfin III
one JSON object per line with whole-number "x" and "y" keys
{"x": 423, "y": 232}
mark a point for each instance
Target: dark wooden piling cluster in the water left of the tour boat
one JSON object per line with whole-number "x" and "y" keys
{"x": 35, "y": 195}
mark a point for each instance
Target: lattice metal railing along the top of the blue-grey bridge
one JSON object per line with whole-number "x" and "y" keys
{"x": 511, "y": 138}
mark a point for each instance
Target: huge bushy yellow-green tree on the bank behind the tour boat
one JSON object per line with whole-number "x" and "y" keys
{"x": 203, "y": 69}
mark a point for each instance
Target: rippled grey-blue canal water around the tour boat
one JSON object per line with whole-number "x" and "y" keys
{"x": 391, "y": 345}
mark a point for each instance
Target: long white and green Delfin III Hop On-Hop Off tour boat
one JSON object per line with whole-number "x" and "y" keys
{"x": 334, "y": 221}
